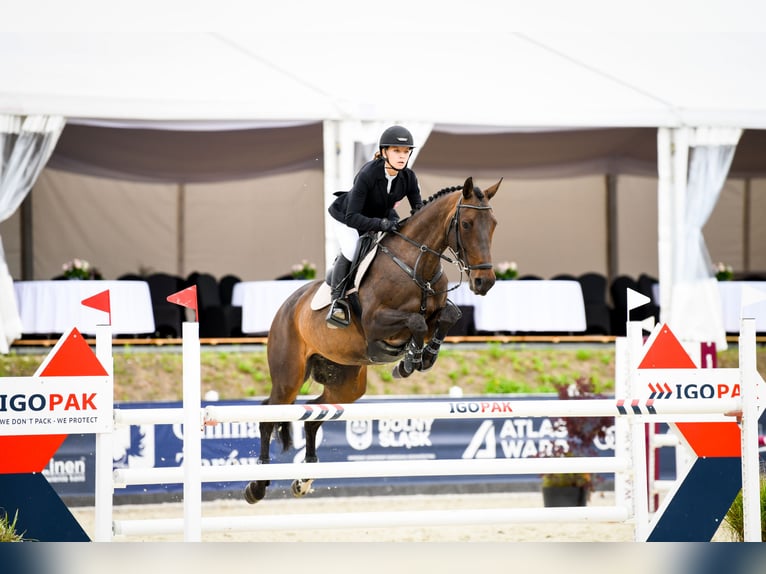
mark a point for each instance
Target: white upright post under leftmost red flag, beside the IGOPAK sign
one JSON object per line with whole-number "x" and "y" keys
{"x": 104, "y": 487}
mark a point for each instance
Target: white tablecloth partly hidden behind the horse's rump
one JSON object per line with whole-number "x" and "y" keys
{"x": 260, "y": 301}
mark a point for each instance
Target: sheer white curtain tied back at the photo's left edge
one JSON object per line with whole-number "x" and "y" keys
{"x": 26, "y": 144}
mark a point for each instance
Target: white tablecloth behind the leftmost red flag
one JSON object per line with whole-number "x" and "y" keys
{"x": 48, "y": 307}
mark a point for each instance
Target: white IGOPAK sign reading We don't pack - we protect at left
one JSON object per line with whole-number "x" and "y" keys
{"x": 55, "y": 405}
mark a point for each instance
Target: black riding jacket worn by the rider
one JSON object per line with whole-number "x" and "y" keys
{"x": 368, "y": 202}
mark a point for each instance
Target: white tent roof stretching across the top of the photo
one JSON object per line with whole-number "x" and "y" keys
{"x": 465, "y": 73}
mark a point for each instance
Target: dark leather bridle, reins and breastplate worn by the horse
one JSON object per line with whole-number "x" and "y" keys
{"x": 460, "y": 259}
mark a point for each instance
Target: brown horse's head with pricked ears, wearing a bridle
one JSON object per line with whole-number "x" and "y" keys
{"x": 474, "y": 224}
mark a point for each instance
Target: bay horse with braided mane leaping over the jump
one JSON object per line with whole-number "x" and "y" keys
{"x": 402, "y": 314}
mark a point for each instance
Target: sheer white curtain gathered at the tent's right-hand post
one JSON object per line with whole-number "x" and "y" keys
{"x": 697, "y": 312}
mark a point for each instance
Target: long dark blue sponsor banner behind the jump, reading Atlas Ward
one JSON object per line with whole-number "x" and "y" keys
{"x": 225, "y": 444}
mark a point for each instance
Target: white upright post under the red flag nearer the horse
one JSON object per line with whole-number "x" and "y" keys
{"x": 192, "y": 432}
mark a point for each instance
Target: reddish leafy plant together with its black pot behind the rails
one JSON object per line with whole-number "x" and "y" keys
{"x": 573, "y": 489}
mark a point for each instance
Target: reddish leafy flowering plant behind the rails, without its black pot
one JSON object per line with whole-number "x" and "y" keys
{"x": 581, "y": 432}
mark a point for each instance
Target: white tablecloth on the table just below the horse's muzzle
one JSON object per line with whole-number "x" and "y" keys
{"x": 535, "y": 305}
